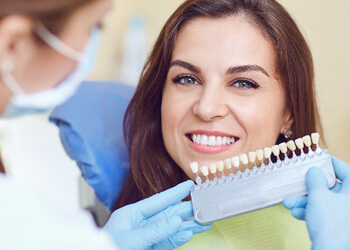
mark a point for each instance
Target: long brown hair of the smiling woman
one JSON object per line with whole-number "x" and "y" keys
{"x": 151, "y": 168}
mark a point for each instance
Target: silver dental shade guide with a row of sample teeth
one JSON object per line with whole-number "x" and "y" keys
{"x": 260, "y": 187}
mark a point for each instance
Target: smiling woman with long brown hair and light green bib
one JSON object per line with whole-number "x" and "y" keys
{"x": 224, "y": 78}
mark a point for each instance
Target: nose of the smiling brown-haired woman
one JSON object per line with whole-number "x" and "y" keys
{"x": 211, "y": 105}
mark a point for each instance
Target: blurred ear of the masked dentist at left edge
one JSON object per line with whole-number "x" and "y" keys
{"x": 16, "y": 37}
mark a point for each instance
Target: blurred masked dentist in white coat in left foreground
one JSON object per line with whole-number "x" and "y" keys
{"x": 47, "y": 48}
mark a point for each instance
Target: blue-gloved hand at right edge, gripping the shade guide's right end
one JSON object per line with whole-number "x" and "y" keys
{"x": 326, "y": 212}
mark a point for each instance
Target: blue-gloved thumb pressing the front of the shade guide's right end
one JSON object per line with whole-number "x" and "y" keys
{"x": 315, "y": 180}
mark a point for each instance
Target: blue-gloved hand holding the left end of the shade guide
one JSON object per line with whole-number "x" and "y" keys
{"x": 155, "y": 222}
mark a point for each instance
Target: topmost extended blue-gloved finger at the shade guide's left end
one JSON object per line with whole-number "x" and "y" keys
{"x": 161, "y": 201}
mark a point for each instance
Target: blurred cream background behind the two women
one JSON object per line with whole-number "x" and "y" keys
{"x": 132, "y": 26}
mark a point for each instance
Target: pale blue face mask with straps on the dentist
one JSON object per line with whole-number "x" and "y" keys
{"x": 22, "y": 103}
